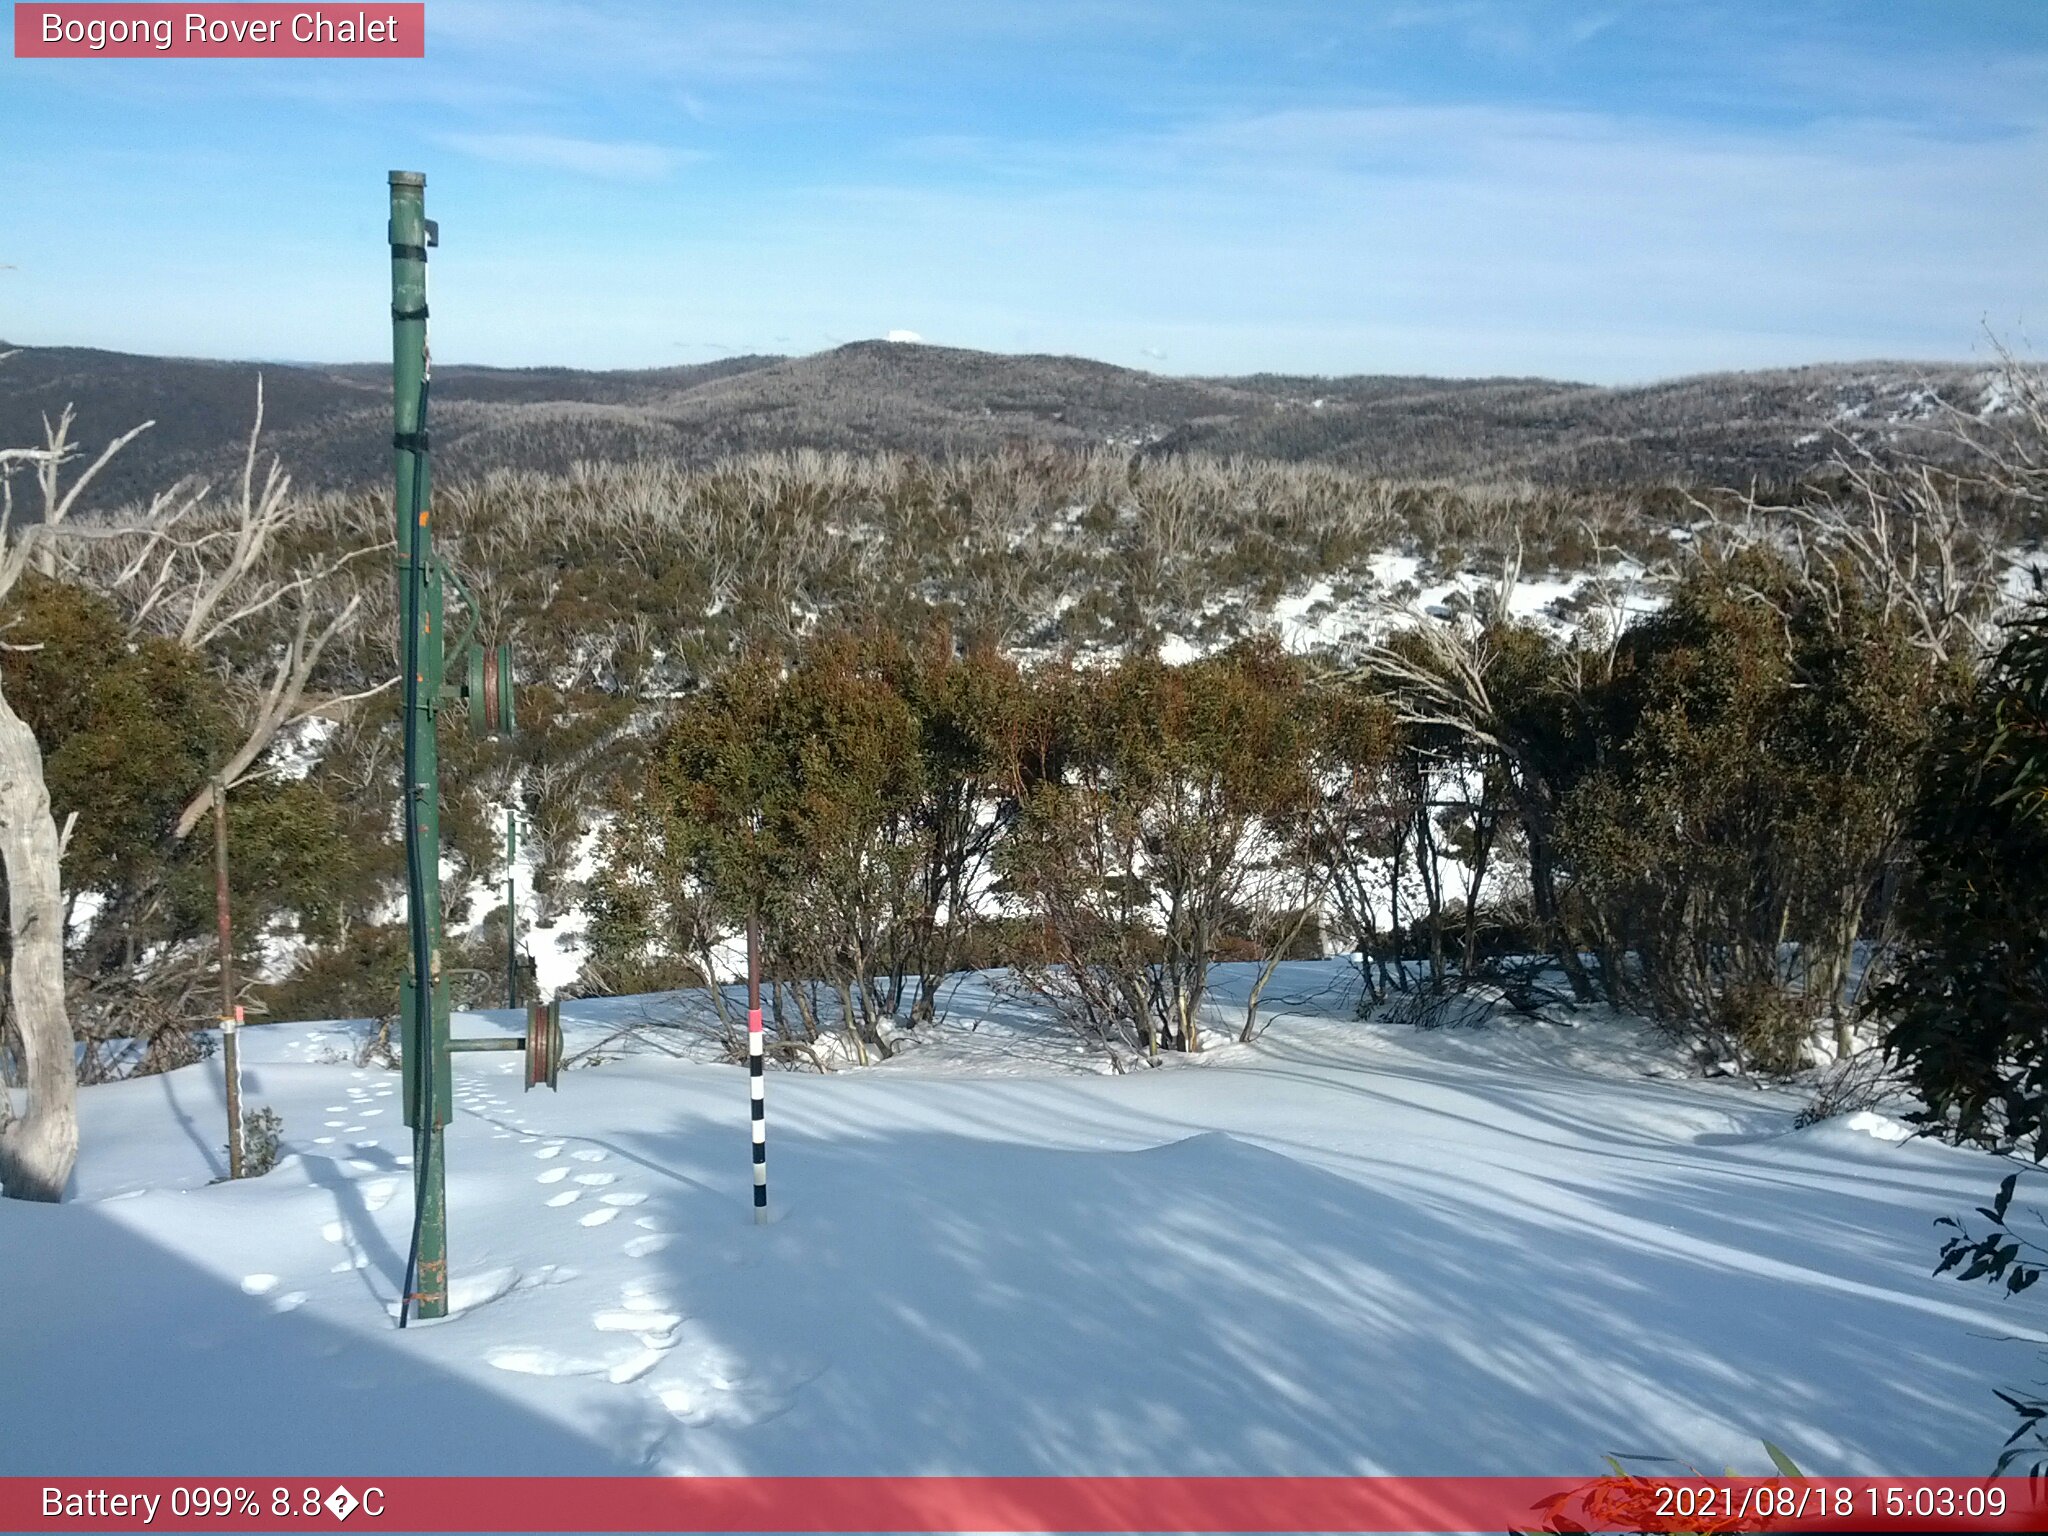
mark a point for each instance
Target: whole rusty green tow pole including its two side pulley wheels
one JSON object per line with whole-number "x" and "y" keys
{"x": 486, "y": 689}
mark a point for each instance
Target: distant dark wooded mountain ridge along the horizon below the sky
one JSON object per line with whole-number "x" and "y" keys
{"x": 331, "y": 425}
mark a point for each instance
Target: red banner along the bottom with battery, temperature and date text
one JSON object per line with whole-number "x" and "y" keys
{"x": 1023, "y": 1504}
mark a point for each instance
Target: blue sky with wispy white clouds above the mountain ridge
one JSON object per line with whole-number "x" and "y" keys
{"x": 1467, "y": 187}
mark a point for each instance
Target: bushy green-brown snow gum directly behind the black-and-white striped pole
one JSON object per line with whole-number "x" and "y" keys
{"x": 847, "y": 798}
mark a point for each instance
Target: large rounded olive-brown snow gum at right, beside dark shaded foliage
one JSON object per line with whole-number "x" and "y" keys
{"x": 1744, "y": 822}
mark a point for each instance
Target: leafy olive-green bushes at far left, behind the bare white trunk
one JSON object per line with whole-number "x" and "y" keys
{"x": 132, "y": 728}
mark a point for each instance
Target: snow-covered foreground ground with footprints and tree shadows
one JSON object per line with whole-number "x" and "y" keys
{"x": 1349, "y": 1248}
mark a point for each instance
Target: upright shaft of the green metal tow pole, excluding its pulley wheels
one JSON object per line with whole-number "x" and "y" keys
{"x": 429, "y": 1101}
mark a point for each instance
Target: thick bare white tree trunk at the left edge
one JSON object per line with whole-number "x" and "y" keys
{"x": 40, "y": 1146}
